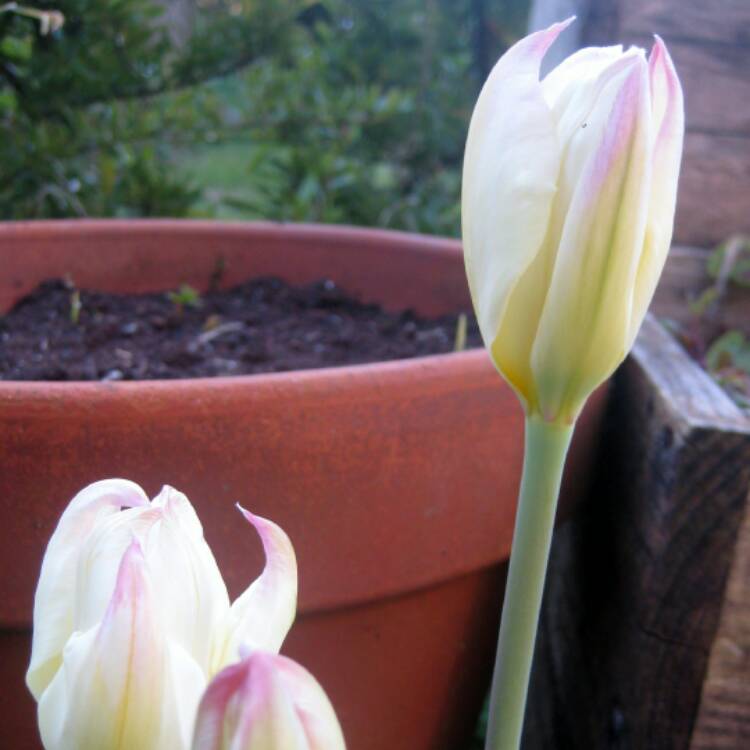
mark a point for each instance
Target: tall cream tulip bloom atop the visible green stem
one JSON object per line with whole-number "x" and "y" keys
{"x": 568, "y": 199}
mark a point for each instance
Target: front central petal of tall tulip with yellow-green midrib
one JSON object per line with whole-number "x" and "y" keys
{"x": 583, "y": 329}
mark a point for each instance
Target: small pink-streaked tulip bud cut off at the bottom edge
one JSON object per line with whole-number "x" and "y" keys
{"x": 266, "y": 702}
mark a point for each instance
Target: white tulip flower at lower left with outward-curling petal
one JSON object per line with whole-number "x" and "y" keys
{"x": 132, "y": 619}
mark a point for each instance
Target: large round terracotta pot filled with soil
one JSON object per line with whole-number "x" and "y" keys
{"x": 396, "y": 481}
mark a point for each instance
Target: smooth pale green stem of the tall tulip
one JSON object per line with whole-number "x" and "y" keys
{"x": 546, "y": 445}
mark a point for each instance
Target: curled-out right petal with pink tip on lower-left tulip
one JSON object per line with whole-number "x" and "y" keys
{"x": 261, "y": 617}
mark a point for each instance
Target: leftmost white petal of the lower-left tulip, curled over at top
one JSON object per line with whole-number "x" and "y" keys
{"x": 55, "y": 593}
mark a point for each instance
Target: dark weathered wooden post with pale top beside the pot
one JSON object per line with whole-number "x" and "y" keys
{"x": 637, "y": 581}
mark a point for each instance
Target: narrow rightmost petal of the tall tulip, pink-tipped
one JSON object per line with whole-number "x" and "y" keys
{"x": 669, "y": 118}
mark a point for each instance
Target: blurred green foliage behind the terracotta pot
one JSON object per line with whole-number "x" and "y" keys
{"x": 337, "y": 111}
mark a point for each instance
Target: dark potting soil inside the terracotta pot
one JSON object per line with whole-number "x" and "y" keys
{"x": 264, "y": 325}
